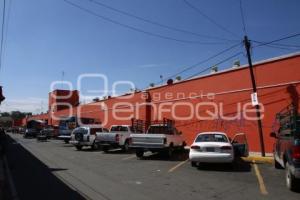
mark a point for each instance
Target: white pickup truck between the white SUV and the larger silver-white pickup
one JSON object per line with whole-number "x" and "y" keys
{"x": 117, "y": 137}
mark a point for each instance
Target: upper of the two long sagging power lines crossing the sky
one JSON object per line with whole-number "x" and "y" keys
{"x": 157, "y": 23}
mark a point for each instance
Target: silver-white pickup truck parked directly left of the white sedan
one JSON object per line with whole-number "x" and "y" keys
{"x": 160, "y": 138}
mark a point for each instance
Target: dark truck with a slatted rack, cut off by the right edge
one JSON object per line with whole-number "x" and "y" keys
{"x": 287, "y": 146}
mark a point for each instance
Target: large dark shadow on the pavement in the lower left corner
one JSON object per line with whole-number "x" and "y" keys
{"x": 32, "y": 178}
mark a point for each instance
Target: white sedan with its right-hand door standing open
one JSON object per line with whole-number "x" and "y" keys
{"x": 216, "y": 147}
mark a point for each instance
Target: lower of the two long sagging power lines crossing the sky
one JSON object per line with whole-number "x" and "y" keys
{"x": 138, "y": 29}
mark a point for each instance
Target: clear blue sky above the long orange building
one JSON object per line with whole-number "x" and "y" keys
{"x": 45, "y": 37}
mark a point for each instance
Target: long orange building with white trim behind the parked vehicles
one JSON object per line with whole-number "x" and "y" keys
{"x": 193, "y": 102}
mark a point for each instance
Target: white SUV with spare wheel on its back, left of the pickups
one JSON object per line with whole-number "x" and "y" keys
{"x": 86, "y": 136}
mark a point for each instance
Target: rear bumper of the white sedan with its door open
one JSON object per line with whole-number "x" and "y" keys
{"x": 212, "y": 157}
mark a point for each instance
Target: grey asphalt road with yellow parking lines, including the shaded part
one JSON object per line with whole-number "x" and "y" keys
{"x": 54, "y": 170}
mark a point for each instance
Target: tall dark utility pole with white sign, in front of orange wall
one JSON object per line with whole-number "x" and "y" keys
{"x": 257, "y": 107}
